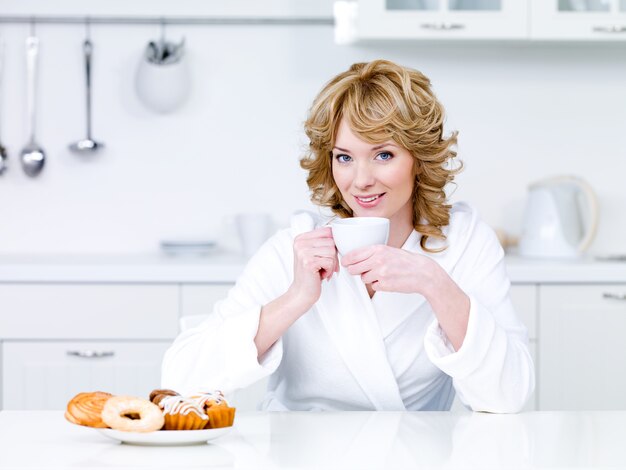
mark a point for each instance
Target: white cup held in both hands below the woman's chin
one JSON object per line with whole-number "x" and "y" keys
{"x": 358, "y": 232}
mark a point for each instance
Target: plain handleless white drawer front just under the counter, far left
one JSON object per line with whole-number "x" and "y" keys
{"x": 88, "y": 311}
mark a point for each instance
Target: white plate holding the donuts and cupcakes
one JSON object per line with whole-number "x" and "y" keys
{"x": 165, "y": 438}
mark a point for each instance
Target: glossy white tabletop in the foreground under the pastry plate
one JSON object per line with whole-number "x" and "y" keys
{"x": 338, "y": 440}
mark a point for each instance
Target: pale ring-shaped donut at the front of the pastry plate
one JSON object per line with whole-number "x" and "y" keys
{"x": 132, "y": 414}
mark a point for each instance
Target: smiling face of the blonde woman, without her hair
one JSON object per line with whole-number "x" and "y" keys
{"x": 376, "y": 180}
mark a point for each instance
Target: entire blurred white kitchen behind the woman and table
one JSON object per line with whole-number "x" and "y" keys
{"x": 191, "y": 146}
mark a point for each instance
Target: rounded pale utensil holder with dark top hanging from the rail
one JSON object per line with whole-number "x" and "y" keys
{"x": 162, "y": 80}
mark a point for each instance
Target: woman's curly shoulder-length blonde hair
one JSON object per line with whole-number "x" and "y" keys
{"x": 383, "y": 101}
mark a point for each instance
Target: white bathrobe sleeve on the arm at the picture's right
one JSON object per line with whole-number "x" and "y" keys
{"x": 492, "y": 370}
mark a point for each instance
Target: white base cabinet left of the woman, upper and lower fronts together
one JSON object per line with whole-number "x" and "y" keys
{"x": 59, "y": 339}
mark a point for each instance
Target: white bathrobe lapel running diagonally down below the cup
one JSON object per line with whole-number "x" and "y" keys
{"x": 350, "y": 320}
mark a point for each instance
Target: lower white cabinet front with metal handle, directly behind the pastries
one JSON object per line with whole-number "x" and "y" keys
{"x": 46, "y": 375}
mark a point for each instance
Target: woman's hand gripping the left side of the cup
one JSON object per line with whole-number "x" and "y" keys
{"x": 315, "y": 259}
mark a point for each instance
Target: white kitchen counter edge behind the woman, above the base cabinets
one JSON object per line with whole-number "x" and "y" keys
{"x": 225, "y": 267}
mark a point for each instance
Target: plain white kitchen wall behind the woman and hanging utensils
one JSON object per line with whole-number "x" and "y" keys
{"x": 524, "y": 111}
